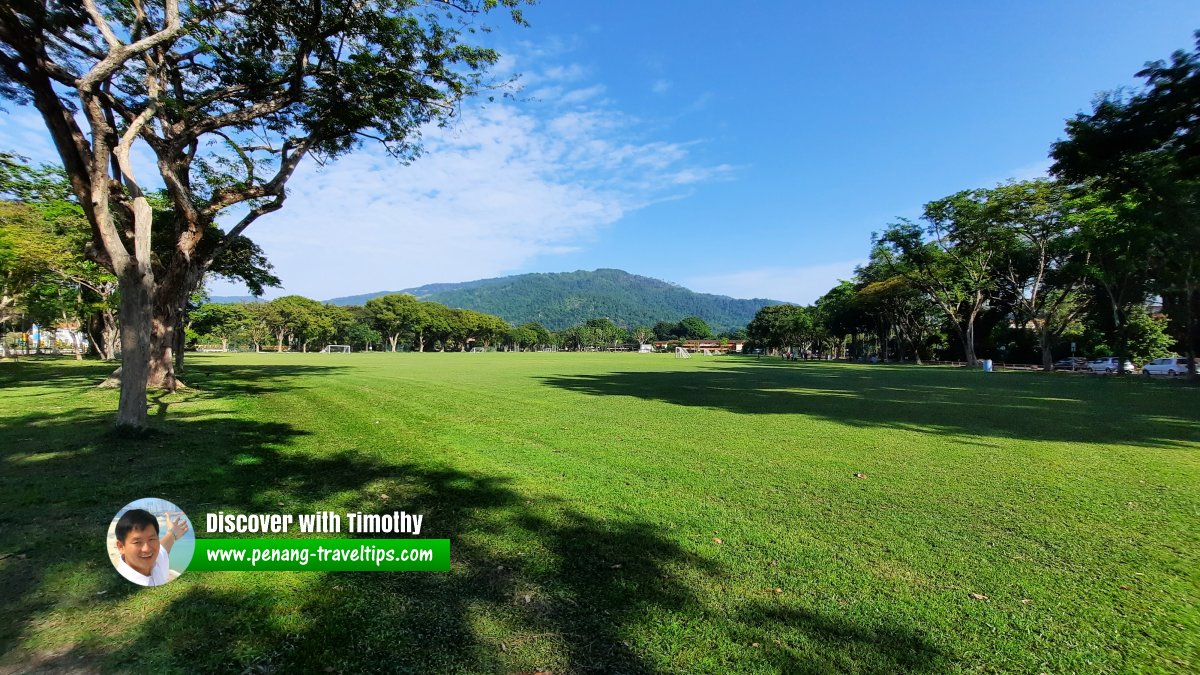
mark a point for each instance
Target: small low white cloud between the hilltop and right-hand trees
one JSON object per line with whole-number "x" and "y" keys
{"x": 800, "y": 285}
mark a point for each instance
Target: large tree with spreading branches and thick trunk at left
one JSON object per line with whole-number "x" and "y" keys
{"x": 226, "y": 98}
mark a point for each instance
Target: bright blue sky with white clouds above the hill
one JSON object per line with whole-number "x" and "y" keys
{"x": 743, "y": 150}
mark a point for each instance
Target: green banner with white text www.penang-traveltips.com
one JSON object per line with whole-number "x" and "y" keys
{"x": 321, "y": 555}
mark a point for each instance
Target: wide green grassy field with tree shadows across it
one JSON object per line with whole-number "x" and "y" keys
{"x": 620, "y": 513}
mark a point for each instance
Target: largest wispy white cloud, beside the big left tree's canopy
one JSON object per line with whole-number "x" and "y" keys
{"x": 506, "y": 184}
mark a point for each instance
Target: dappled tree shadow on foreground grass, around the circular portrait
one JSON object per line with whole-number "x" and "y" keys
{"x": 537, "y": 583}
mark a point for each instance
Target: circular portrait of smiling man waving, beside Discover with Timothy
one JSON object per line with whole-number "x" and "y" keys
{"x": 151, "y": 542}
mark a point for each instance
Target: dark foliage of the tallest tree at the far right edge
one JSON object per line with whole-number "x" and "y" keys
{"x": 1141, "y": 156}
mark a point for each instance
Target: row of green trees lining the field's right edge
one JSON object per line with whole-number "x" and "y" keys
{"x": 1103, "y": 254}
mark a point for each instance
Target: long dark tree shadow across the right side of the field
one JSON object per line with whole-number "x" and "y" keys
{"x": 1030, "y": 407}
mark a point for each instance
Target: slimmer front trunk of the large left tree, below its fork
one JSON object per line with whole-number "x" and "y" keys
{"x": 136, "y": 319}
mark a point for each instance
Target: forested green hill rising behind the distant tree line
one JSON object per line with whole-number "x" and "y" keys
{"x": 559, "y": 301}
